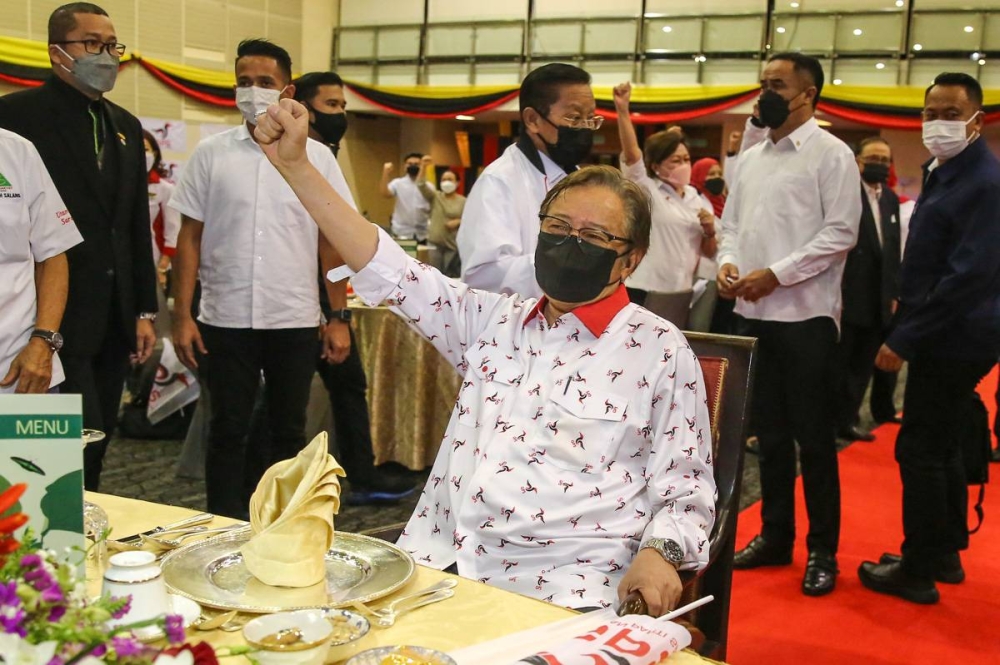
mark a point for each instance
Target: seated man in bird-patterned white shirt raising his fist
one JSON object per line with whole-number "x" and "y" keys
{"x": 576, "y": 466}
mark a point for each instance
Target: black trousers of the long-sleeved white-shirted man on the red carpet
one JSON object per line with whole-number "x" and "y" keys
{"x": 792, "y": 403}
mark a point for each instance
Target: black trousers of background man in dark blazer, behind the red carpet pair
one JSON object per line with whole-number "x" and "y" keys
{"x": 856, "y": 353}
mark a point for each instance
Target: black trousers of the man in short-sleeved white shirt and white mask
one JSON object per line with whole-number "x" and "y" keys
{"x": 237, "y": 357}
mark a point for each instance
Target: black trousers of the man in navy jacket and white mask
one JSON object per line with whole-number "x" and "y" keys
{"x": 935, "y": 496}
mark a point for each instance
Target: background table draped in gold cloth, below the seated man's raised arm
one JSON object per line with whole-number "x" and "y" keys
{"x": 411, "y": 388}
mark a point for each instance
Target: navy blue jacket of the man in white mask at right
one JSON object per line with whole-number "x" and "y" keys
{"x": 949, "y": 304}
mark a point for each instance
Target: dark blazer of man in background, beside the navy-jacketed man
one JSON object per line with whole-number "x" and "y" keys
{"x": 871, "y": 274}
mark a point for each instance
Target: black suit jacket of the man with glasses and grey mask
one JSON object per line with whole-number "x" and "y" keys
{"x": 113, "y": 267}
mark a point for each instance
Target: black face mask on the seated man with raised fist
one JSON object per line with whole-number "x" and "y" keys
{"x": 573, "y": 271}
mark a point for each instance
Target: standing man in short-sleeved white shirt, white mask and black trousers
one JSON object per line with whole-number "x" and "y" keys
{"x": 254, "y": 248}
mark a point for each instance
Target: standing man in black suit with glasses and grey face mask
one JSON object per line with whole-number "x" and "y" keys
{"x": 93, "y": 150}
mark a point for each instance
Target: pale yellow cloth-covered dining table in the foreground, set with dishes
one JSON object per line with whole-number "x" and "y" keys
{"x": 476, "y": 614}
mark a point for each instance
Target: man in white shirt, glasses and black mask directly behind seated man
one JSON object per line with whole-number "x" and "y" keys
{"x": 499, "y": 230}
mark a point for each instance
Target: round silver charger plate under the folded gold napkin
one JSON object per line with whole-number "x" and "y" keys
{"x": 212, "y": 572}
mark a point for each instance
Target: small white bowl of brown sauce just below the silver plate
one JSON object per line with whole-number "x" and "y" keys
{"x": 311, "y": 650}
